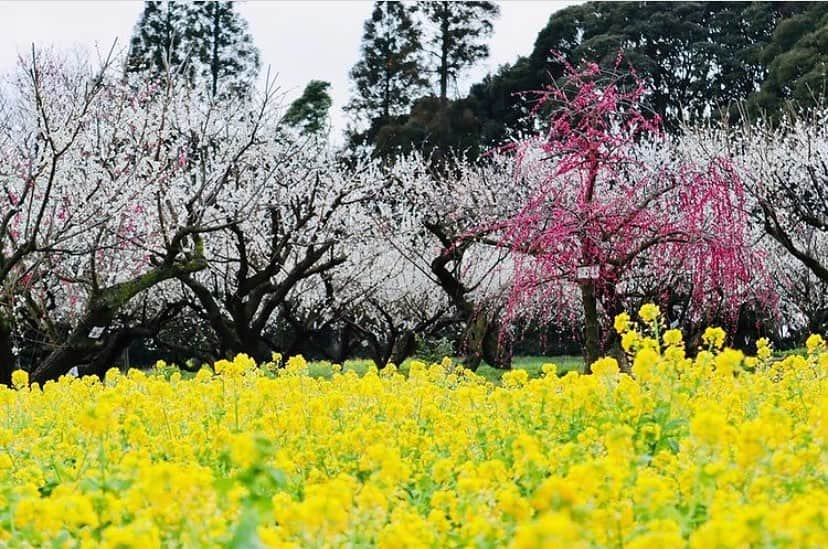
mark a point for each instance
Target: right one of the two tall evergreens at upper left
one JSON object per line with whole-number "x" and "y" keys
{"x": 229, "y": 62}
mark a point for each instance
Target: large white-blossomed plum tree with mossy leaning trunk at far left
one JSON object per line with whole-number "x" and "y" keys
{"x": 112, "y": 184}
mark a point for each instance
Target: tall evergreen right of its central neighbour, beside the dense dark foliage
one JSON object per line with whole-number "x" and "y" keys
{"x": 457, "y": 37}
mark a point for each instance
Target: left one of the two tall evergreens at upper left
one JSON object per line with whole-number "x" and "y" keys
{"x": 158, "y": 42}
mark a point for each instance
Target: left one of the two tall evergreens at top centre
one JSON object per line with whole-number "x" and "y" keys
{"x": 389, "y": 76}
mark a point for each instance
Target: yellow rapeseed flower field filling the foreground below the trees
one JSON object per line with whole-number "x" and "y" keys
{"x": 721, "y": 450}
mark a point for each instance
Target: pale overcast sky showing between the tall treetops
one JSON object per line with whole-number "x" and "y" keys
{"x": 300, "y": 41}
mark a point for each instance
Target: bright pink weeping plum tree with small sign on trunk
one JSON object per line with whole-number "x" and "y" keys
{"x": 620, "y": 199}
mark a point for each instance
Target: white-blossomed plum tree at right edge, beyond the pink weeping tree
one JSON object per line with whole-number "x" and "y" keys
{"x": 785, "y": 167}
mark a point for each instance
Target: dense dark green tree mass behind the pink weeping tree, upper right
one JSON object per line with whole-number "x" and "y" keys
{"x": 698, "y": 59}
